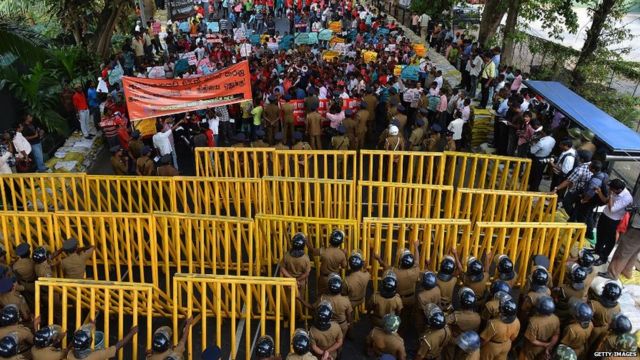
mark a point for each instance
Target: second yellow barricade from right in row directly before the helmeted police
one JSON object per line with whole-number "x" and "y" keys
{"x": 434, "y": 238}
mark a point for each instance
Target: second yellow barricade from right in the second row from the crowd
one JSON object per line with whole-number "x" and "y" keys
{"x": 396, "y": 200}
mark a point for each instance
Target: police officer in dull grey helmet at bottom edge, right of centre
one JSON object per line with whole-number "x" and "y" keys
{"x": 386, "y": 340}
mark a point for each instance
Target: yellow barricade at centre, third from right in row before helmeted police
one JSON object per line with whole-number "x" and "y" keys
{"x": 274, "y": 233}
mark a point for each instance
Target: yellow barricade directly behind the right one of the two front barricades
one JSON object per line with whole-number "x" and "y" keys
{"x": 205, "y": 244}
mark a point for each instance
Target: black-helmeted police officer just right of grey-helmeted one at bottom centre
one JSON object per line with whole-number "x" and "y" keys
{"x": 436, "y": 336}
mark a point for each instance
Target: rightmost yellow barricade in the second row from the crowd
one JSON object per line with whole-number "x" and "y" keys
{"x": 501, "y": 205}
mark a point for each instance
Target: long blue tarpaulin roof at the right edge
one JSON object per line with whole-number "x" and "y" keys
{"x": 618, "y": 137}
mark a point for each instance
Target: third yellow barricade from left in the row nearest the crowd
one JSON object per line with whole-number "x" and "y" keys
{"x": 410, "y": 167}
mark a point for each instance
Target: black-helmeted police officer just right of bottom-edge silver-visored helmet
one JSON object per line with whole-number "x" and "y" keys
{"x": 499, "y": 333}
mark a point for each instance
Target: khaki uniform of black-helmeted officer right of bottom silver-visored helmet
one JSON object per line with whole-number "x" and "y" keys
{"x": 498, "y": 336}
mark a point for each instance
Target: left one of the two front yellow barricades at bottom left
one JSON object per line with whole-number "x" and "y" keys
{"x": 75, "y": 302}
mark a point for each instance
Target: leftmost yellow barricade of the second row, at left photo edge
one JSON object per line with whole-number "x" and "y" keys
{"x": 43, "y": 192}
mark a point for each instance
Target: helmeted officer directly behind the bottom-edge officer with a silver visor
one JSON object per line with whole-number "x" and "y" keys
{"x": 465, "y": 318}
